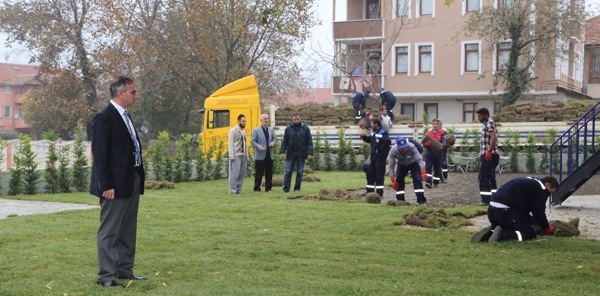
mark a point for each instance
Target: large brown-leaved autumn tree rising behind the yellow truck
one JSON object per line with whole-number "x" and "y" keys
{"x": 185, "y": 50}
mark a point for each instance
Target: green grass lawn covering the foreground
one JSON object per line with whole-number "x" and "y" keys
{"x": 199, "y": 240}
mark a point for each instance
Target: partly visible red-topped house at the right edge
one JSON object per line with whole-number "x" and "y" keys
{"x": 592, "y": 58}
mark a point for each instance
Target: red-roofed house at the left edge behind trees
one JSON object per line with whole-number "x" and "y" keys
{"x": 15, "y": 81}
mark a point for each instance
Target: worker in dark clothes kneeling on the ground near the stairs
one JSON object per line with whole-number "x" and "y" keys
{"x": 510, "y": 208}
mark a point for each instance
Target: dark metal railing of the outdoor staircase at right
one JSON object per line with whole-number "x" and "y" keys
{"x": 578, "y": 143}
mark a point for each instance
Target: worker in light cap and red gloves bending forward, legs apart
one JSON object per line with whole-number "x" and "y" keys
{"x": 409, "y": 159}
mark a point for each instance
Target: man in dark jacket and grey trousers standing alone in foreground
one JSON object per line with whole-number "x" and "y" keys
{"x": 118, "y": 180}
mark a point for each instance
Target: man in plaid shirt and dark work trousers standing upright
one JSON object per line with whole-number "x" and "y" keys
{"x": 489, "y": 156}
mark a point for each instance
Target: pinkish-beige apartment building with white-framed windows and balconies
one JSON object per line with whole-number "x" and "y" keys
{"x": 415, "y": 49}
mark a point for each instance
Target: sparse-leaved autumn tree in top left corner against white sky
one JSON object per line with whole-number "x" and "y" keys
{"x": 60, "y": 35}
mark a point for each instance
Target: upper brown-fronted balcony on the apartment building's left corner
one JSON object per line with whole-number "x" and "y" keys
{"x": 370, "y": 29}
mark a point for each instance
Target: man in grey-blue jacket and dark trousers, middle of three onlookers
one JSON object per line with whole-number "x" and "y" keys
{"x": 263, "y": 142}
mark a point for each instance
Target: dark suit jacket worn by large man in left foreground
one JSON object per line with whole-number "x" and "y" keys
{"x": 113, "y": 153}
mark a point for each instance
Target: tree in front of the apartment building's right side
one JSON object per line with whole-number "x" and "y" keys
{"x": 534, "y": 30}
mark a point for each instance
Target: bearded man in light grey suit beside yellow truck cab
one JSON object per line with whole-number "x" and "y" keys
{"x": 238, "y": 155}
